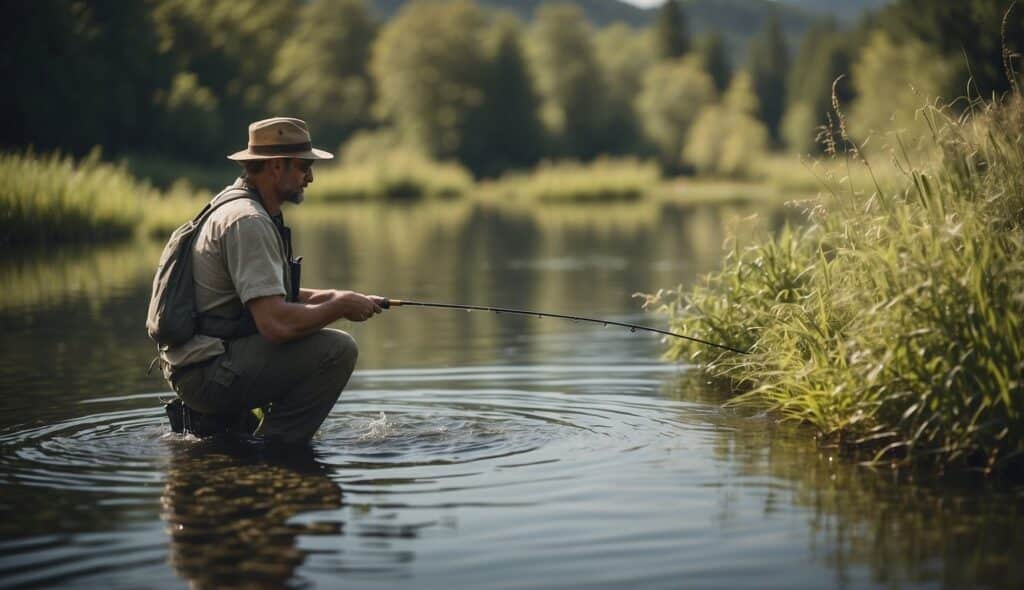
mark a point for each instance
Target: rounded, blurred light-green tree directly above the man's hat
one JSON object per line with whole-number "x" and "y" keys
{"x": 321, "y": 72}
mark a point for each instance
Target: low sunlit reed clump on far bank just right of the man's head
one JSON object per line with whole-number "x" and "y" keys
{"x": 395, "y": 176}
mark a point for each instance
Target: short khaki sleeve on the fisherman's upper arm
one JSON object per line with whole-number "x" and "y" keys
{"x": 252, "y": 250}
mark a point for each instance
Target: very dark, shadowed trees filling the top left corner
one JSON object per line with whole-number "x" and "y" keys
{"x": 82, "y": 74}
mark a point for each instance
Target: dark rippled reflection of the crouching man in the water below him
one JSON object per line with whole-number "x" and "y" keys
{"x": 230, "y": 514}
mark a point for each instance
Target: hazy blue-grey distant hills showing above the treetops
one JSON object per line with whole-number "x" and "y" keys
{"x": 737, "y": 20}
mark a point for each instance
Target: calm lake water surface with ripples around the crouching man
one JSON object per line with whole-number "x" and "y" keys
{"x": 470, "y": 451}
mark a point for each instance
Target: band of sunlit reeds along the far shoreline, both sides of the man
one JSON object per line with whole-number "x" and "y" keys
{"x": 54, "y": 199}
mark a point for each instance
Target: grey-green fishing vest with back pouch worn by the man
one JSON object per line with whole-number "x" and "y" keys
{"x": 174, "y": 318}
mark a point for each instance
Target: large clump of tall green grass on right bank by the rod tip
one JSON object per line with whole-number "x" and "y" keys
{"x": 893, "y": 320}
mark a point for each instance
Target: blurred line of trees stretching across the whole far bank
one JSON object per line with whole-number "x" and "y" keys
{"x": 183, "y": 78}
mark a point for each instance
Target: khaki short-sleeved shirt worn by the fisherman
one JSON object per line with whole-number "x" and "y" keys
{"x": 239, "y": 256}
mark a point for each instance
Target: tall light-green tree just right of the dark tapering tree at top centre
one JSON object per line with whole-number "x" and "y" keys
{"x": 569, "y": 79}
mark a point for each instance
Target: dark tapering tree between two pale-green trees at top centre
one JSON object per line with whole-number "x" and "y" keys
{"x": 514, "y": 135}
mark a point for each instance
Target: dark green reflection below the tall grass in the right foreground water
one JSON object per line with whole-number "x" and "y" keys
{"x": 909, "y": 529}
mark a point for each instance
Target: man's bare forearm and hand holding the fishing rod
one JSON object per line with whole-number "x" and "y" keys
{"x": 280, "y": 321}
